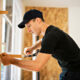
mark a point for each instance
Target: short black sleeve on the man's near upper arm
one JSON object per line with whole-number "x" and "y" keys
{"x": 49, "y": 42}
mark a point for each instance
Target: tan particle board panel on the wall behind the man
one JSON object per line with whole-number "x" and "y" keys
{"x": 52, "y": 16}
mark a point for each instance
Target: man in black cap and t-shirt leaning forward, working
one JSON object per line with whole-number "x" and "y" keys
{"x": 55, "y": 43}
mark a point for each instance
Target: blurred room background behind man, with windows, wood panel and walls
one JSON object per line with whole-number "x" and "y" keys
{"x": 64, "y": 14}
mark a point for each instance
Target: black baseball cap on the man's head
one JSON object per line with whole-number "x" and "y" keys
{"x": 31, "y": 14}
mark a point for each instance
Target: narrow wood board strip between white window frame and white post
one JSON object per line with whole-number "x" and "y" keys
{"x": 26, "y": 75}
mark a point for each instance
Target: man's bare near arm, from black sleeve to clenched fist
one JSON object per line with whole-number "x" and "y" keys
{"x": 30, "y": 65}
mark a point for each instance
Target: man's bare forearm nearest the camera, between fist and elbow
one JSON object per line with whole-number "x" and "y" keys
{"x": 26, "y": 64}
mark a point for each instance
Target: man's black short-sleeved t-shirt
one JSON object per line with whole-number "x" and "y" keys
{"x": 62, "y": 47}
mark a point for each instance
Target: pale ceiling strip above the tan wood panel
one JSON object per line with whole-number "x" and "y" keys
{"x": 52, "y": 3}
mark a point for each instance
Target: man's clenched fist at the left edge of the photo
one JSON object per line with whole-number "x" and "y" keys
{"x": 6, "y": 59}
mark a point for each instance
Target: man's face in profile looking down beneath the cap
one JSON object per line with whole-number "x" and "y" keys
{"x": 33, "y": 26}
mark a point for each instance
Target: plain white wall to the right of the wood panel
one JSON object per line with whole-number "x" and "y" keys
{"x": 74, "y": 23}
